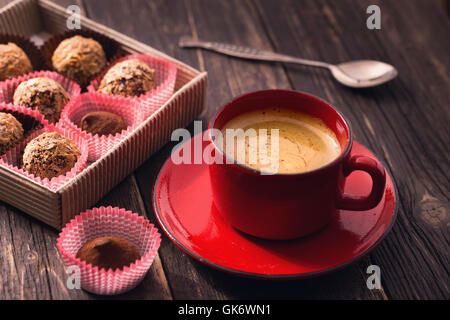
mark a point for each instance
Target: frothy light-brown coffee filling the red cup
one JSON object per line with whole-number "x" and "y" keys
{"x": 279, "y": 140}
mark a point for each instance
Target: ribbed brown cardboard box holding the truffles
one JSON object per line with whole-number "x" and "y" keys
{"x": 38, "y": 20}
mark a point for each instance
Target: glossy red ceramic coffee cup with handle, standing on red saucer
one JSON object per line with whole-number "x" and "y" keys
{"x": 288, "y": 206}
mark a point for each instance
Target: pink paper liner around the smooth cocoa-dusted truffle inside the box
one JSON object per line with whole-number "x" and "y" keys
{"x": 75, "y": 110}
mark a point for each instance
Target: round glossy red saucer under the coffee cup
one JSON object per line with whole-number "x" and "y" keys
{"x": 185, "y": 210}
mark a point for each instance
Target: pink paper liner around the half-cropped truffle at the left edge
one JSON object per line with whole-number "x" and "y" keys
{"x": 31, "y": 120}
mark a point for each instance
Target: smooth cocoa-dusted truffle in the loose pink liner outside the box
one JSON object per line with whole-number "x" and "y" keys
{"x": 109, "y": 252}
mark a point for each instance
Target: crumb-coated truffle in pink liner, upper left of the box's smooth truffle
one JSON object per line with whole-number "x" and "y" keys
{"x": 43, "y": 94}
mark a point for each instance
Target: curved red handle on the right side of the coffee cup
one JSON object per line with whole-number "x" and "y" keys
{"x": 378, "y": 175}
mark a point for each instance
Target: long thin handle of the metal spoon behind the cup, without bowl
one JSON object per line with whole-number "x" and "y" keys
{"x": 247, "y": 53}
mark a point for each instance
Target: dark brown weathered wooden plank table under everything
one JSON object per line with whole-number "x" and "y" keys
{"x": 405, "y": 122}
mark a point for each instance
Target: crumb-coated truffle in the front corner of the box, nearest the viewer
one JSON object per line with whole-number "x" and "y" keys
{"x": 50, "y": 155}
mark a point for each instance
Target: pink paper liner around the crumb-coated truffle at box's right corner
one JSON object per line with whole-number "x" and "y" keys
{"x": 165, "y": 76}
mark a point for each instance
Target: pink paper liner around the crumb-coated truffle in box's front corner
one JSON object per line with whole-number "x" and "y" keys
{"x": 12, "y": 159}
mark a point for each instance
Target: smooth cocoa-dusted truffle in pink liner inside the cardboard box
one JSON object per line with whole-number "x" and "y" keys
{"x": 102, "y": 123}
